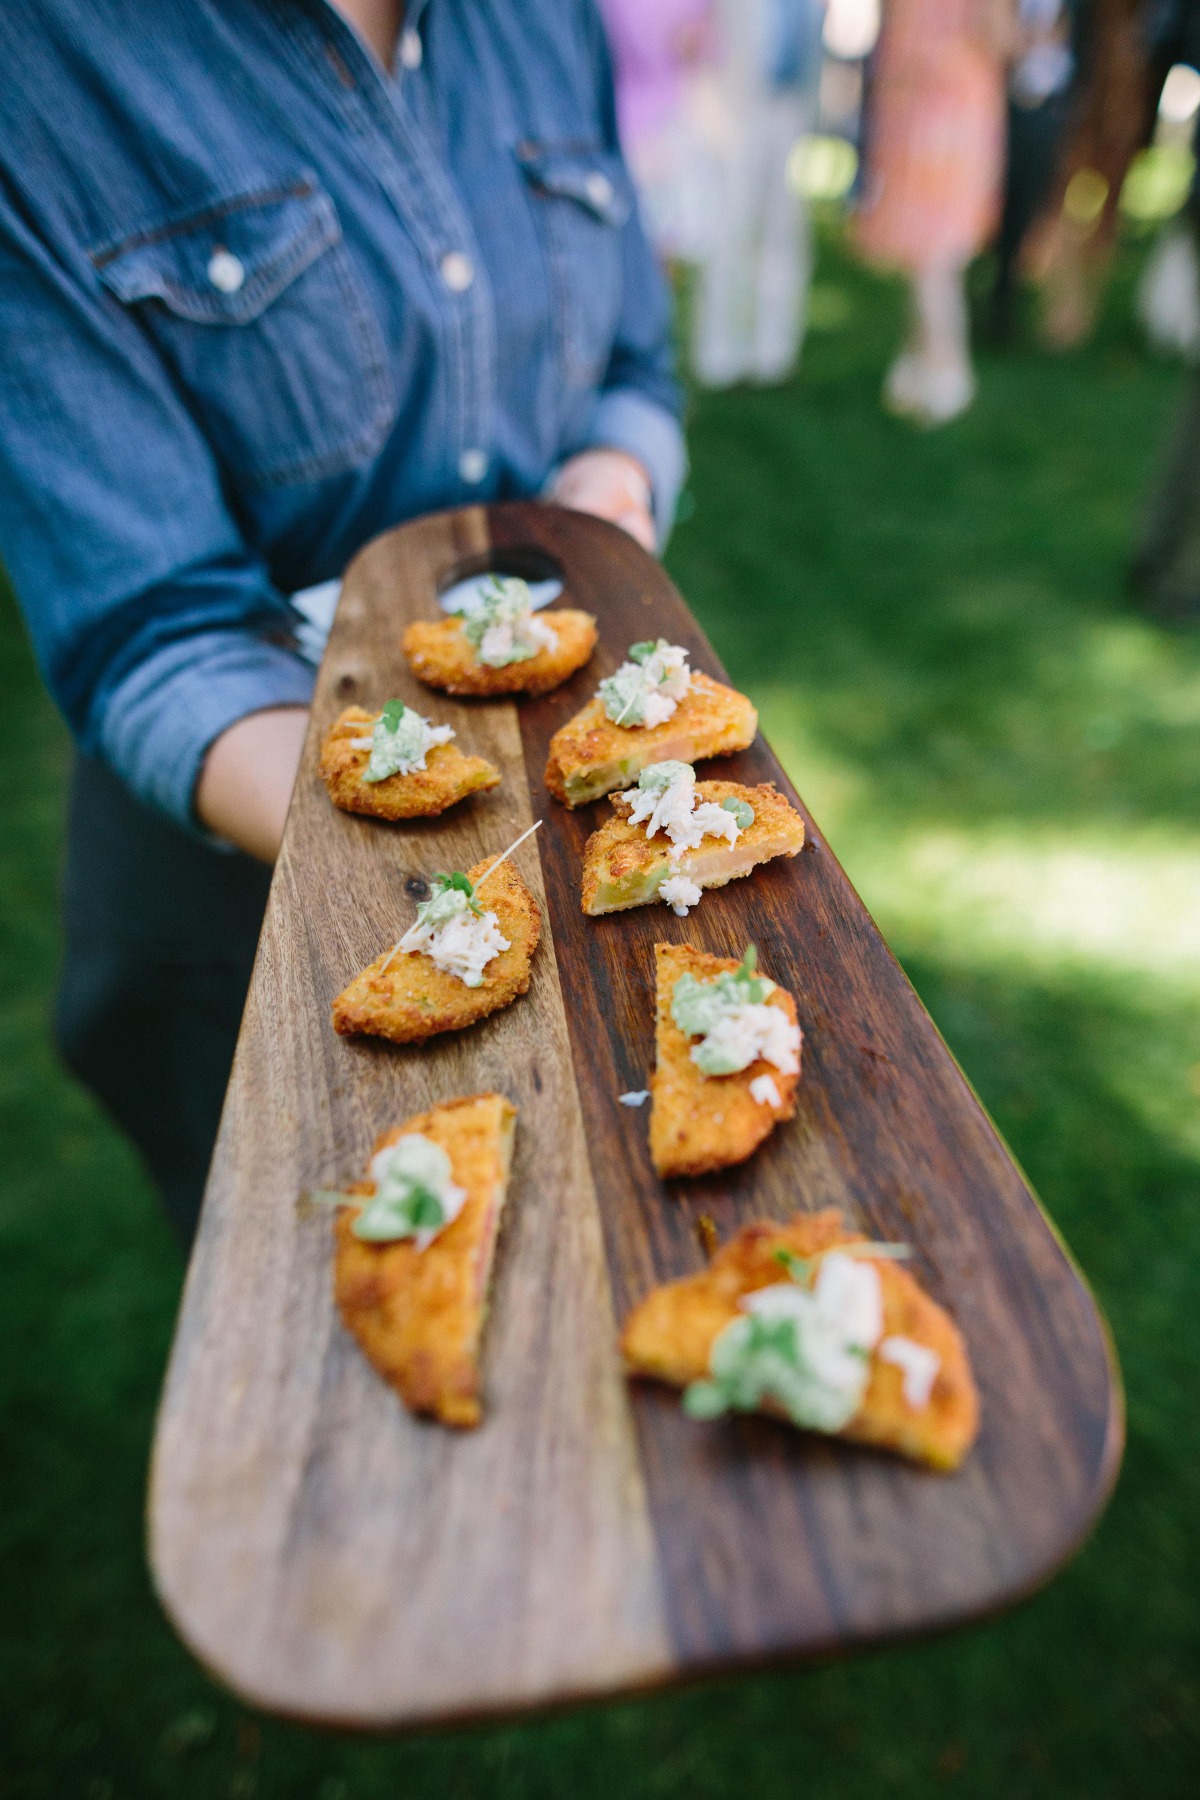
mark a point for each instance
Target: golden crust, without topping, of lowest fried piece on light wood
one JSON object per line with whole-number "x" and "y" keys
{"x": 418, "y": 1315}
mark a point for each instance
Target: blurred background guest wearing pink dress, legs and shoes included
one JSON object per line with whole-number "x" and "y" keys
{"x": 935, "y": 161}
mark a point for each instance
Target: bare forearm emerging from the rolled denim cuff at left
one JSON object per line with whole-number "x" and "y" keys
{"x": 247, "y": 778}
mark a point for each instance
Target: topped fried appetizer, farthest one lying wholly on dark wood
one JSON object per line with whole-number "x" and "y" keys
{"x": 654, "y": 710}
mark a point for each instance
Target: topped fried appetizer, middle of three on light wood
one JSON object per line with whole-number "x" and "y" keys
{"x": 465, "y": 957}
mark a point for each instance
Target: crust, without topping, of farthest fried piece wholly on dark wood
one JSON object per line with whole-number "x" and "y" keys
{"x": 593, "y": 757}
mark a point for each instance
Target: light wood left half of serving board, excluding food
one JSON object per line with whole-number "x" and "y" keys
{"x": 318, "y": 1547}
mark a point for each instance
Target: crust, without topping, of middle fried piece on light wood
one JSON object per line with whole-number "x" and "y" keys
{"x": 407, "y": 998}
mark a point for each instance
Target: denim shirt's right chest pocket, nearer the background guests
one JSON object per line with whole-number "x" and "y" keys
{"x": 582, "y": 197}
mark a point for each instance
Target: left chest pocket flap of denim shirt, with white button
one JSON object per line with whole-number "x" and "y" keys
{"x": 228, "y": 264}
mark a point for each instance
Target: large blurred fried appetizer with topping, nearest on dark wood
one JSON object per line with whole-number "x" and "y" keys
{"x": 818, "y": 1326}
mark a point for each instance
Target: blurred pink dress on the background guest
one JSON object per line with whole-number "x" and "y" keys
{"x": 935, "y": 156}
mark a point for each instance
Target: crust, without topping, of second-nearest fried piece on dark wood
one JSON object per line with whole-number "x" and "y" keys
{"x": 703, "y": 1122}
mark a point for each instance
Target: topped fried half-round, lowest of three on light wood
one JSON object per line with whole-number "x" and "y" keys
{"x": 415, "y": 1252}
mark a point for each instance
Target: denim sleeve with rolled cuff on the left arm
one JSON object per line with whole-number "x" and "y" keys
{"x": 150, "y": 618}
